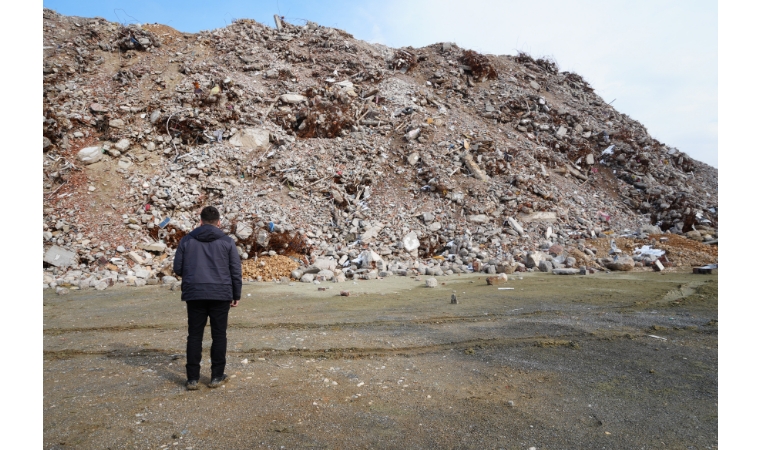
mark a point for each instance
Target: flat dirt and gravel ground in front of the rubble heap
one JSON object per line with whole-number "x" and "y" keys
{"x": 616, "y": 361}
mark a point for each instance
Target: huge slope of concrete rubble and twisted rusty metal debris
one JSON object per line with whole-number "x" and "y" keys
{"x": 353, "y": 159}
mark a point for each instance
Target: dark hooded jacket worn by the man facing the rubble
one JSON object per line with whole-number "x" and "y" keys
{"x": 209, "y": 265}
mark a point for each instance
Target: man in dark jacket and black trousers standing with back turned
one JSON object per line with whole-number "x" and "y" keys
{"x": 209, "y": 264}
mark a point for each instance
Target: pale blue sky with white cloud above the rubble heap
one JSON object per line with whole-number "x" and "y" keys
{"x": 657, "y": 61}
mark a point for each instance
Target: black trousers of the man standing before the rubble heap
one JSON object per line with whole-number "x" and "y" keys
{"x": 198, "y": 313}
